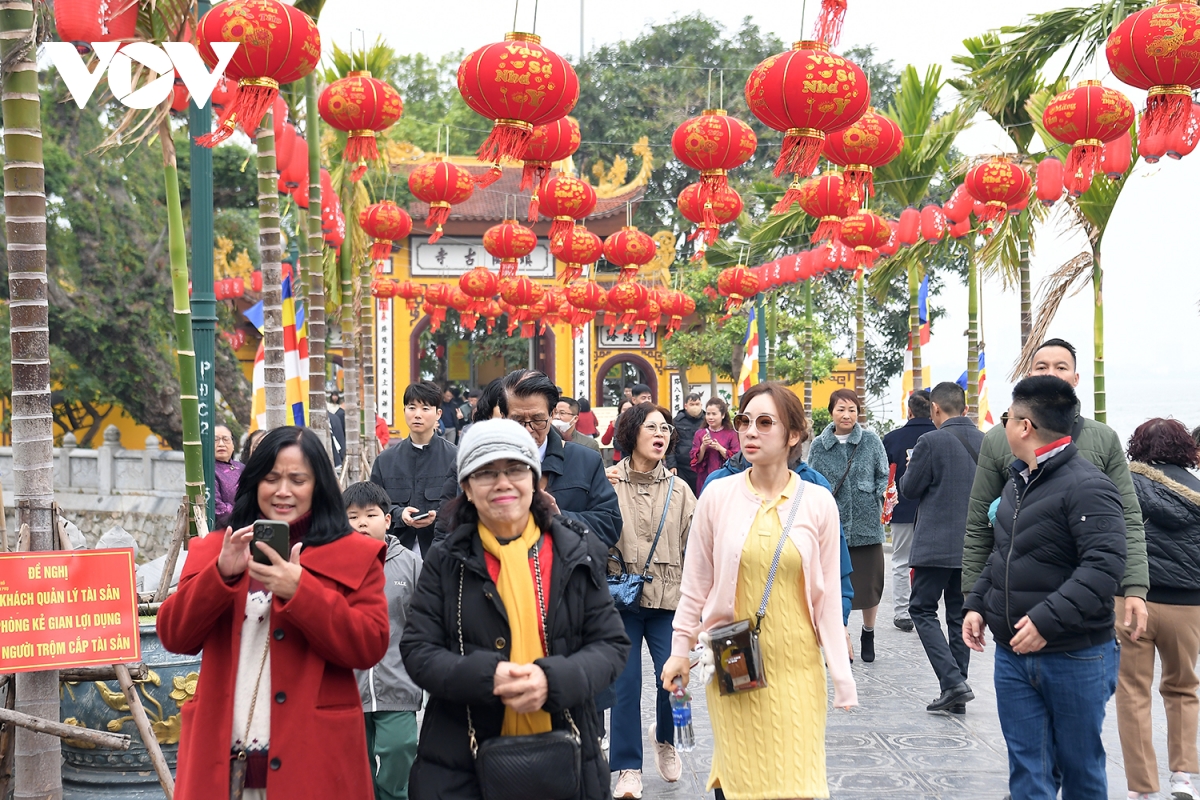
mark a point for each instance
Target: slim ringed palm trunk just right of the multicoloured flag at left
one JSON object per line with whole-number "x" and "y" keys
{"x": 319, "y": 417}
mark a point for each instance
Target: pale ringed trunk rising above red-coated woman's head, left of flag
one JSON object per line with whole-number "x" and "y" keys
{"x": 272, "y": 254}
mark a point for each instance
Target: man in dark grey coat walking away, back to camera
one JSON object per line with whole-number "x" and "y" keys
{"x": 939, "y": 479}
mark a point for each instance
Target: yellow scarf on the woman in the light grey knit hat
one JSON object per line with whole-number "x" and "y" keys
{"x": 520, "y": 599}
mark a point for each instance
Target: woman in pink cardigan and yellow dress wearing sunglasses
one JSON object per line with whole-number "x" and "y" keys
{"x": 770, "y": 743}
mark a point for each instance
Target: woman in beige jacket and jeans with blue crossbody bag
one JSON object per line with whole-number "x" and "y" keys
{"x": 657, "y": 512}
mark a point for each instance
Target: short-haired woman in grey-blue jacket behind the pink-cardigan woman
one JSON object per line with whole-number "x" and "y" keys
{"x": 854, "y": 461}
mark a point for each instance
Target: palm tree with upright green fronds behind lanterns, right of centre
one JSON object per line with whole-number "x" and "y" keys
{"x": 908, "y": 181}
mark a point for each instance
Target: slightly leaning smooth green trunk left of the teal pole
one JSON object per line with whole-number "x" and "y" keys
{"x": 190, "y": 406}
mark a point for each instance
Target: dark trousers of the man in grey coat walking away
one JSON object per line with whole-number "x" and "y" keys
{"x": 949, "y": 659}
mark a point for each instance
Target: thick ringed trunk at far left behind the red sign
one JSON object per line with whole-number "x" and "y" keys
{"x": 38, "y": 756}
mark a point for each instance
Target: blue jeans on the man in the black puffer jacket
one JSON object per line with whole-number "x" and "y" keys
{"x": 1052, "y": 712}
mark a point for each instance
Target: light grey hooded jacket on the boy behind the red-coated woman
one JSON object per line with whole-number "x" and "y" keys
{"x": 387, "y": 687}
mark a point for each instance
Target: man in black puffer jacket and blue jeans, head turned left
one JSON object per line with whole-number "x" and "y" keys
{"x": 1047, "y": 597}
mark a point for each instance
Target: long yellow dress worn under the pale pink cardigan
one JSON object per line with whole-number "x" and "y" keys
{"x": 770, "y": 744}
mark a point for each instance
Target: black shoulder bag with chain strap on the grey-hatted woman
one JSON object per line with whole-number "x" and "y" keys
{"x": 539, "y": 767}
